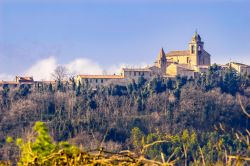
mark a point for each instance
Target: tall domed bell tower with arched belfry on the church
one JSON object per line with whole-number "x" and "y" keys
{"x": 195, "y": 49}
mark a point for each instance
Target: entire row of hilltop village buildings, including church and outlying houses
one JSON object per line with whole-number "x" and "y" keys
{"x": 187, "y": 63}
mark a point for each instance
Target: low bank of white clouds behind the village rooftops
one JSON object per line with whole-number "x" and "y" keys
{"x": 43, "y": 69}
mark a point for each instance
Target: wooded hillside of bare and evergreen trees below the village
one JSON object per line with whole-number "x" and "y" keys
{"x": 201, "y": 121}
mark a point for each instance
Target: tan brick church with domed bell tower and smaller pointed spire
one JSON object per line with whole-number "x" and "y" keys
{"x": 184, "y": 63}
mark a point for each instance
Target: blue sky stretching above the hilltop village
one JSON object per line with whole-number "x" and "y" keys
{"x": 111, "y": 33}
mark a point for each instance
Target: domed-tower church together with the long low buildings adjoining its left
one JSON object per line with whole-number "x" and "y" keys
{"x": 187, "y": 63}
